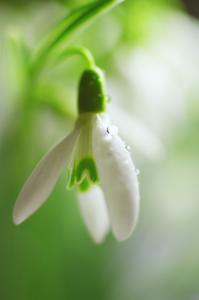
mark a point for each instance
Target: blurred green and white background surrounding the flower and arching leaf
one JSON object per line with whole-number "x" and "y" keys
{"x": 150, "y": 52}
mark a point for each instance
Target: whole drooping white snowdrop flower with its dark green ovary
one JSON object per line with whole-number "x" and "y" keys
{"x": 99, "y": 164}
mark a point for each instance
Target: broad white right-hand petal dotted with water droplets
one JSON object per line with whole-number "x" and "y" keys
{"x": 118, "y": 180}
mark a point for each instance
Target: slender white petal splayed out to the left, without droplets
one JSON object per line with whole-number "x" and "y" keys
{"x": 44, "y": 177}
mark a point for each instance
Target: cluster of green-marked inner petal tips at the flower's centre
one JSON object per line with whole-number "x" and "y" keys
{"x": 84, "y": 174}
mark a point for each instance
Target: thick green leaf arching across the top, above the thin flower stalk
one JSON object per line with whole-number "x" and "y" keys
{"x": 66, "y": 30}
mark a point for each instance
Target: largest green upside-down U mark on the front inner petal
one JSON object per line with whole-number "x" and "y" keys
{"x": 89, "y": 165}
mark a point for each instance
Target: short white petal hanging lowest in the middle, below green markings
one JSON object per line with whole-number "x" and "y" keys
{"x": 94, "y": 212}
